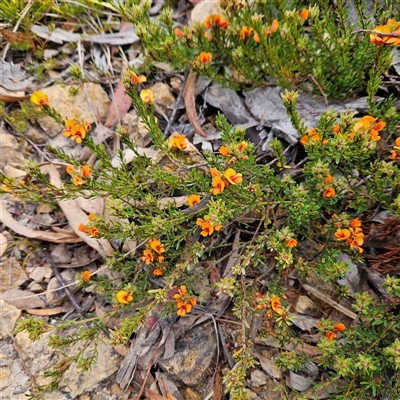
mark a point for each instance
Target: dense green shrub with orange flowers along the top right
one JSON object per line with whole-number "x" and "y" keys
{"x": 253, "y": 43}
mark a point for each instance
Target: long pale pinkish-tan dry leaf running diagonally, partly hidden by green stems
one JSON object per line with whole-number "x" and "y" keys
{"x": 75, "y": 216}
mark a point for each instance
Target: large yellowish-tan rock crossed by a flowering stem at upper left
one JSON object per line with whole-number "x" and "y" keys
{"x": 80, "y": 105}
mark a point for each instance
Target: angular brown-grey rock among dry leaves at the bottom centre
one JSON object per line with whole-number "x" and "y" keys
{"x": 194, "y": 354}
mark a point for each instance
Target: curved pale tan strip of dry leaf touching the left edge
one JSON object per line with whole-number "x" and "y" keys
{"x": 47, "y": 236}
